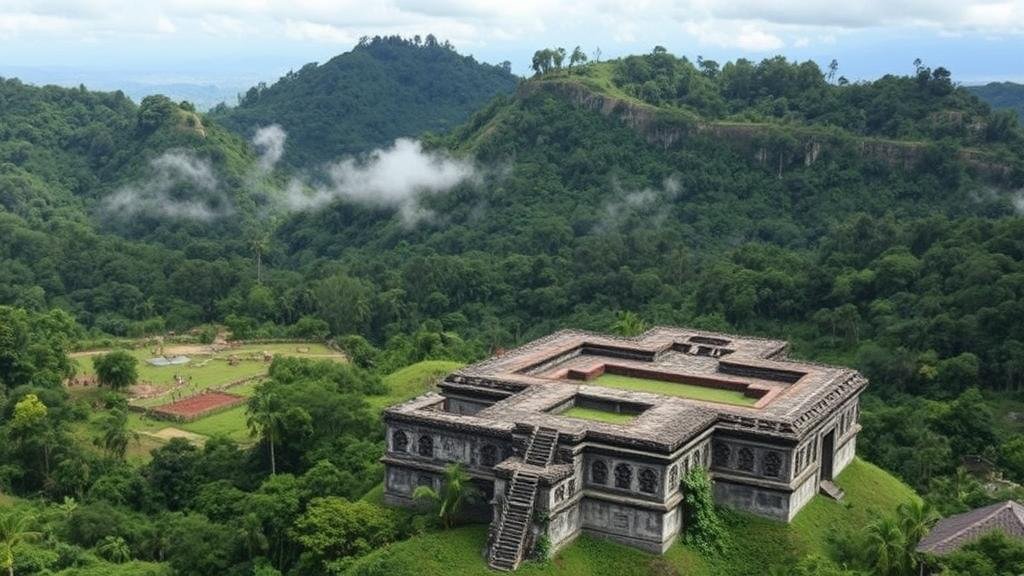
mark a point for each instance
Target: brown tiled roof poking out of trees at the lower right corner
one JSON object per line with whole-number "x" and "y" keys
{"x": 956, "y": 531}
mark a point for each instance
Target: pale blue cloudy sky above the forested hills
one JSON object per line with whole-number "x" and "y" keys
{"x": 239, "y": 42}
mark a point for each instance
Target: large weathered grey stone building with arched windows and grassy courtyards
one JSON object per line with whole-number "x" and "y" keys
{"x": 586, "y": 433}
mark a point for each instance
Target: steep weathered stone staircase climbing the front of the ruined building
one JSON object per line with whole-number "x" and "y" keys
{"x": 507, "y": 549}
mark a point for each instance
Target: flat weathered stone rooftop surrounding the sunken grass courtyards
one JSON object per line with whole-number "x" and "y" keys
{"x": 797, "y": 394}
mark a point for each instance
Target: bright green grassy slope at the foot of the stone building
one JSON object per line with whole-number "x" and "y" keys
{"x": 460, "y": 553}
